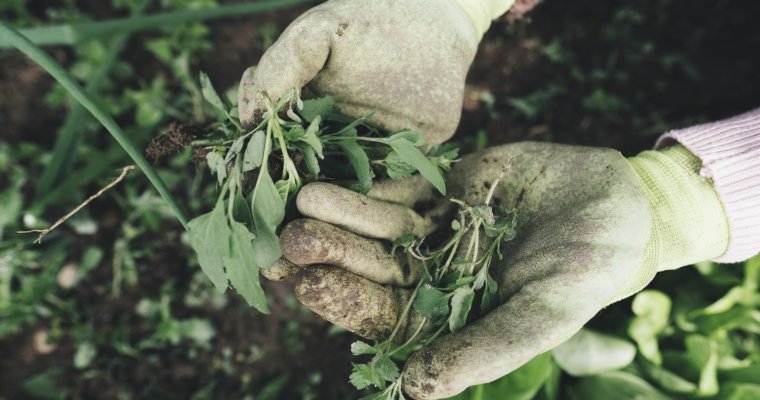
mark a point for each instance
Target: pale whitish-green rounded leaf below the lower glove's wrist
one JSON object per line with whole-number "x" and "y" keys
{"x": 591, "y": 353}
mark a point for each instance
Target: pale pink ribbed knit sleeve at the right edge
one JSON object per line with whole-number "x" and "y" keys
{"x": 730, "y": 154}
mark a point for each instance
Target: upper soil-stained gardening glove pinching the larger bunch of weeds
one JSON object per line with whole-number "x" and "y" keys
{"x": 406, "y": 60}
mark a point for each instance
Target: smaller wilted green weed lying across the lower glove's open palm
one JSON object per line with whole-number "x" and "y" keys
{"x": 454, "y": 274}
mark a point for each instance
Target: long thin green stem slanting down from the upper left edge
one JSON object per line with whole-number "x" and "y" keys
{"x": 53, "y": 68}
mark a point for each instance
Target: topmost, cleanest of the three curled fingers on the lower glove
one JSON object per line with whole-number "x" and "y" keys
{"x": 360, "y": 214}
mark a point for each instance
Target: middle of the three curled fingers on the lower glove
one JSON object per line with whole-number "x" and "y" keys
{"x": 309, "y": 241}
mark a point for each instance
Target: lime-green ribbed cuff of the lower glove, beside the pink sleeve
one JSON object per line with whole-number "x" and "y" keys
{"x": 689, "y": 223}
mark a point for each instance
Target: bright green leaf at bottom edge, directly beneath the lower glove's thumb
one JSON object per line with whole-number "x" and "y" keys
{"x": 522, "y": 384}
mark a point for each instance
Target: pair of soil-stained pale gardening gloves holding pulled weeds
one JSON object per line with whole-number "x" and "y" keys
{"x": 593, "y": 227}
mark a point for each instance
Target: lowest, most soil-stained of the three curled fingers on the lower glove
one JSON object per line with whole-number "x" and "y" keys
{"x": 359, "y": 305}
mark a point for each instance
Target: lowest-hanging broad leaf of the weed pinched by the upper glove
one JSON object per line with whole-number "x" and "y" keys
{"x": 243, "y": 269}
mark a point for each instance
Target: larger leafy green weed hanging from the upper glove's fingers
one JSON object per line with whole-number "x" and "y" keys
{"x": 239, "y": 236}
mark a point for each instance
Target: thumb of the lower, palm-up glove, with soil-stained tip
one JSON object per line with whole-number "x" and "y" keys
{"x": 540, "y": 316}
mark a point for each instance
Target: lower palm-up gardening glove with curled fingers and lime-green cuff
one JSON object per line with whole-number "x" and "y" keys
{"x": 592, "y": 228}
